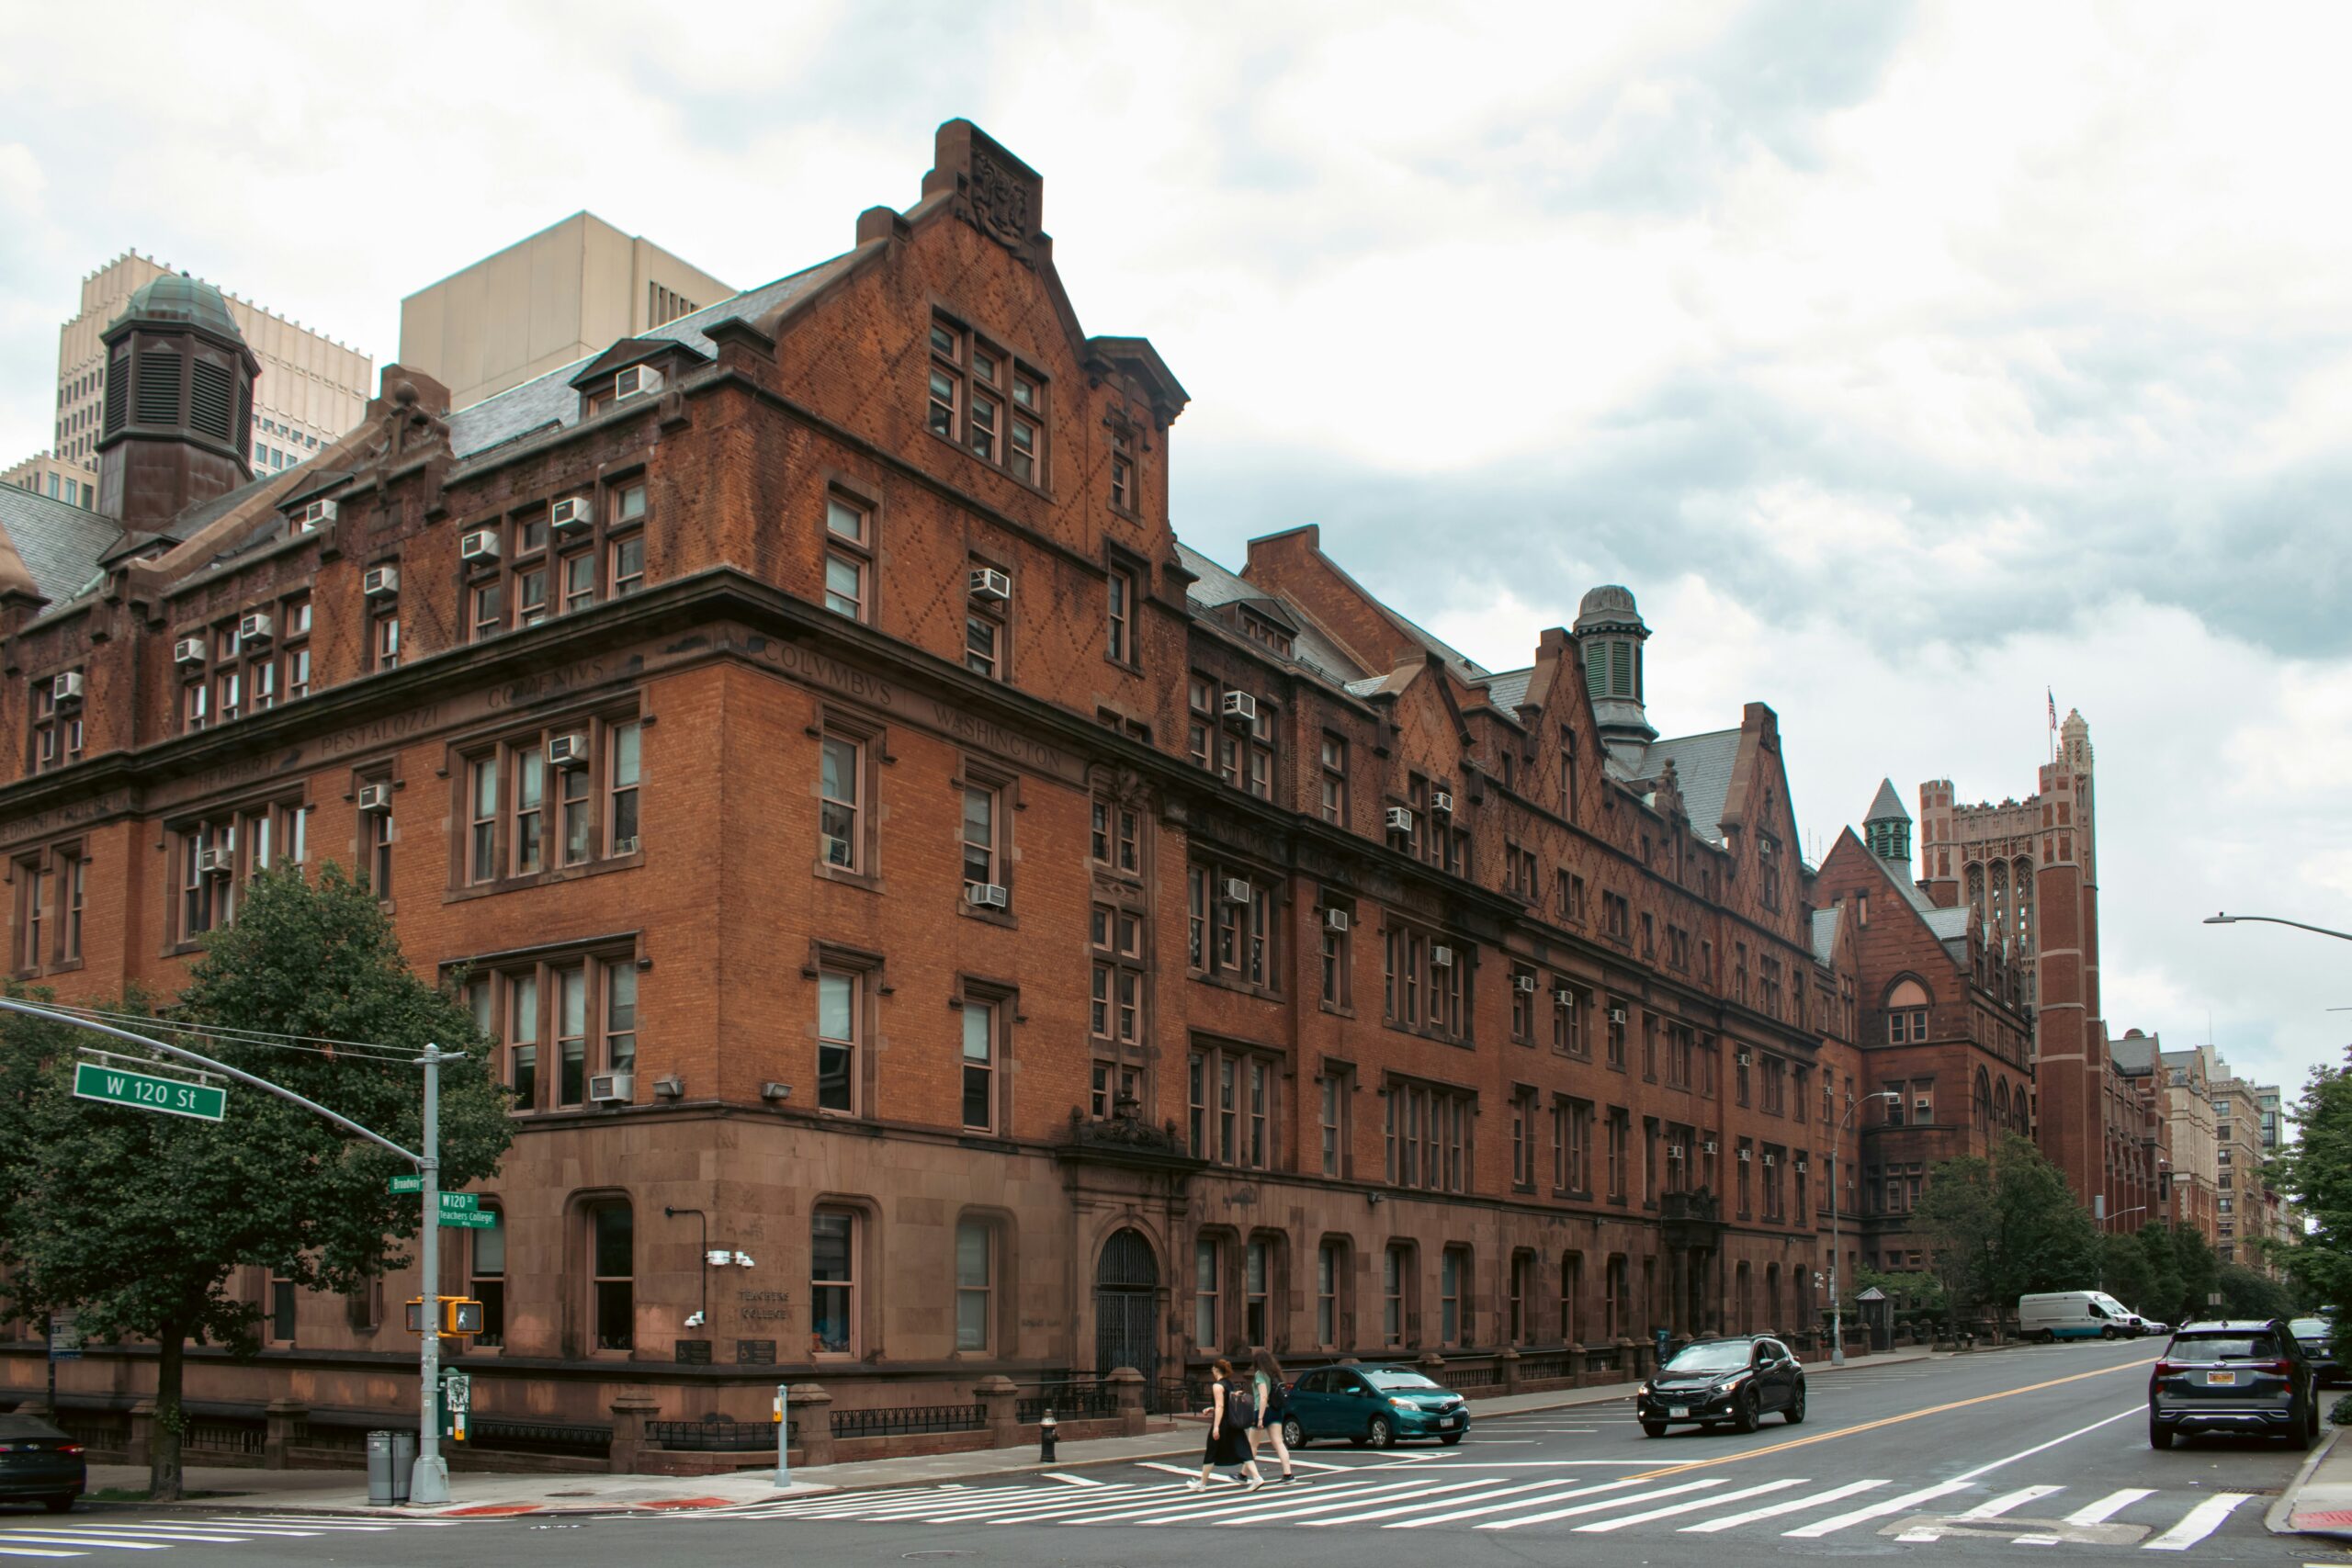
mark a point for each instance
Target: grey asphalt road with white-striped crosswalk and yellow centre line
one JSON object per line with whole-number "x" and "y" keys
{"x": 1991, "y": 1459}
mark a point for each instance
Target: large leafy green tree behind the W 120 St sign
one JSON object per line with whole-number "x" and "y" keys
{"x": 138, "y": 1221}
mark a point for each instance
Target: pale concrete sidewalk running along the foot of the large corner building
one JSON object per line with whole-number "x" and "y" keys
{"x": 488, "y": 1496}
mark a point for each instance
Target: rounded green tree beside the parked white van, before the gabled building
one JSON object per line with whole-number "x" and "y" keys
{"x": 2005, "y": 1228}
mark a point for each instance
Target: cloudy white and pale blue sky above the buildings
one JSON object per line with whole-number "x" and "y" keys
{"x": 1904, "y": 361}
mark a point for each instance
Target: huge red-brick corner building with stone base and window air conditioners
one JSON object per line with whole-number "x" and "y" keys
{"x": 883, "y": 852}
